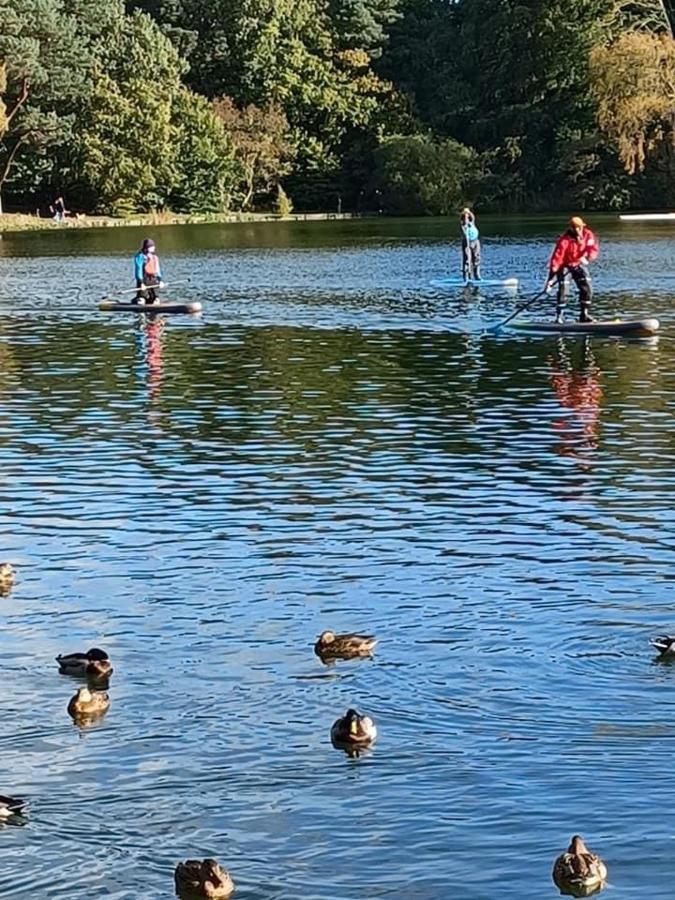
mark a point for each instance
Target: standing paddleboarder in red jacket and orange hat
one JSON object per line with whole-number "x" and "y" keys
{"x": 573, "y": 252}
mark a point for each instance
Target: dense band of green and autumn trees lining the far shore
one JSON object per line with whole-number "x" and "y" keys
{"x": 400, "y": 106}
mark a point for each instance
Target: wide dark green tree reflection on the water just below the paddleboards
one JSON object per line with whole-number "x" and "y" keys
{"x": 316, "y": 394}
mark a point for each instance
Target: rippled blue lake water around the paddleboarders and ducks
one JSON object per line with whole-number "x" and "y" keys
{"x": 334, "y": 443}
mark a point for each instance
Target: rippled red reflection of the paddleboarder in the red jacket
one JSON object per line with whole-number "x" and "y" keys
{"x": 575, "y": 377}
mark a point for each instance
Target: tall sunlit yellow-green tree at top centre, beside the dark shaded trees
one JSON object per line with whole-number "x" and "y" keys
{"x": 292, "y": 55}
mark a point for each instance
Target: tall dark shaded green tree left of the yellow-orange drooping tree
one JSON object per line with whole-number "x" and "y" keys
{"x": 509, "y": 77}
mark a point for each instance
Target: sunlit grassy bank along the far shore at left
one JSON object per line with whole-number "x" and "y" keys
{"x": 13, "y": 222}
